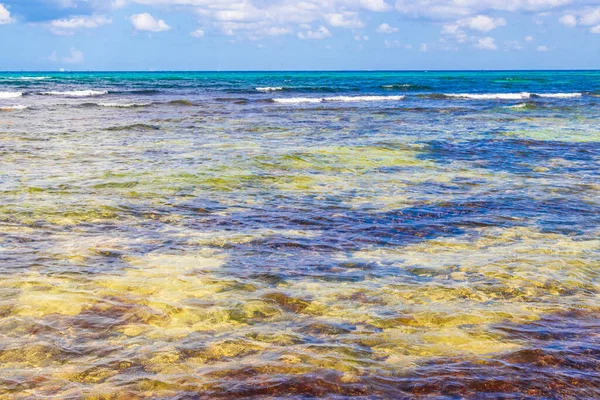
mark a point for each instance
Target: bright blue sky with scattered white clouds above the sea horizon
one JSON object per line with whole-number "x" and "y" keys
{"x": 298, "y": 34}
